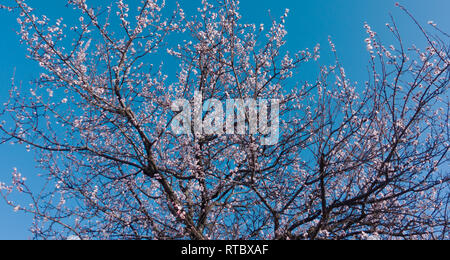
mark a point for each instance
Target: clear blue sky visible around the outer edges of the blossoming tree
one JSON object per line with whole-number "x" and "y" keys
{"x": 310, "y": 22}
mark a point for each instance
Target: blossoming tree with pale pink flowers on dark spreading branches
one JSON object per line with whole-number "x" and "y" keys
{"x": 352, "y": 161}
